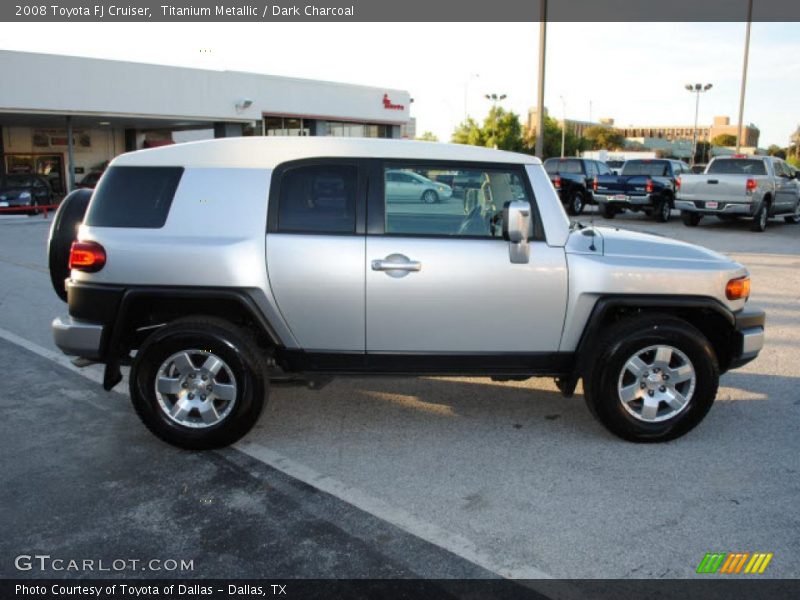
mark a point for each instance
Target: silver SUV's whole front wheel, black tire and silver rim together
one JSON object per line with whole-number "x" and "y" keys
{"x": 654, "y": 378}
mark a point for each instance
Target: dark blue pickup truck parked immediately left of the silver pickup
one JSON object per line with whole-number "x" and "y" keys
{"x": 646, "y": 185}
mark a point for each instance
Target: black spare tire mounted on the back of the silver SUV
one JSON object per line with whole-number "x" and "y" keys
{"x": 63, "y": 232}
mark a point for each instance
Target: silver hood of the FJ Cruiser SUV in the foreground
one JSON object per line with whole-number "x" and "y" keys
{"x": 624, "y": 243}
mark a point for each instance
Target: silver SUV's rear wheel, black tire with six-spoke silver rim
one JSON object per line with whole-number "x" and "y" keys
{"x": 198, "y": 383}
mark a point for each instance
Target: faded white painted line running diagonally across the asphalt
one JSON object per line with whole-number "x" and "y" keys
{"x": 401, "y": 519}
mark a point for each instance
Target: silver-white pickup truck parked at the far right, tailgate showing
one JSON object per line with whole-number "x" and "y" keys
{"x": 741, "y": 186}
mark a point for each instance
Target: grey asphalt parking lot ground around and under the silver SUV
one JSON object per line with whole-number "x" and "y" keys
{"x": 425, "y": 477}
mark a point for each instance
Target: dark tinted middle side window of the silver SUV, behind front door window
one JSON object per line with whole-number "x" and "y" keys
{"x": 318, "y": 199}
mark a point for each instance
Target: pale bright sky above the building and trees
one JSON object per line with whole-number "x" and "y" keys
{"x": 632, "y": 72}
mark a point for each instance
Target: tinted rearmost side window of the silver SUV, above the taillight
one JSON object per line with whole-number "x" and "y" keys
{"x": 134, "y": 197}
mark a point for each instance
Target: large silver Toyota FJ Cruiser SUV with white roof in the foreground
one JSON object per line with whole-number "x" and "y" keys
{"x": 217, "y": 268}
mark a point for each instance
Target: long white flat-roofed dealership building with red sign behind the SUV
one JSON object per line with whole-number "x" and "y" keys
{"x": 65, "y": 116}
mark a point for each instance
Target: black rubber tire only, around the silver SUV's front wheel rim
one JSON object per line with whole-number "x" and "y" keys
{"x": 619, "y": 343}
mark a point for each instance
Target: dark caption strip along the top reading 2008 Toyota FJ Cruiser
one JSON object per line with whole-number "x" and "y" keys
{"x": 397, "y": 11}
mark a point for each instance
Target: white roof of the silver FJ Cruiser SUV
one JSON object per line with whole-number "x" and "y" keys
{"x": 260, "y": 152}
